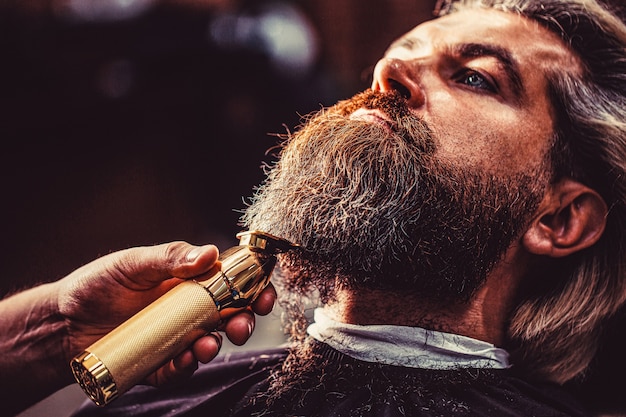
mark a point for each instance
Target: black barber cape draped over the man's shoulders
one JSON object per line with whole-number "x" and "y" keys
{"x": 229, "y": 385}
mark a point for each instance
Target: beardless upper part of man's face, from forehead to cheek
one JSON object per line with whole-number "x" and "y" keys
{"x": 478, "y": 79}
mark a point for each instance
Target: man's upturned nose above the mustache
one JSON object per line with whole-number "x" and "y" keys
{"x": 396, "y": 74}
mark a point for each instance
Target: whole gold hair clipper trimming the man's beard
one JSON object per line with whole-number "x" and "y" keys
{"x": 126, "y": 356}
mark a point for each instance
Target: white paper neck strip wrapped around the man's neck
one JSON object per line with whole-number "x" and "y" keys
{"x": 411, "y": 347}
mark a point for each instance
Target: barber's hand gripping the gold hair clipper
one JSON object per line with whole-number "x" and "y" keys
{"x": 102, "y": 294}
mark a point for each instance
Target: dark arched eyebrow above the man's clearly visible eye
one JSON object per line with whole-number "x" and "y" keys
{"x": 504, "y": 57}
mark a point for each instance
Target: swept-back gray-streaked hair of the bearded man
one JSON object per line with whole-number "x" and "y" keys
{"x": 555, "y": 329}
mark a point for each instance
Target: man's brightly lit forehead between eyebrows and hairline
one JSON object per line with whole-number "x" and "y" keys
{"x": 529, "y": 43}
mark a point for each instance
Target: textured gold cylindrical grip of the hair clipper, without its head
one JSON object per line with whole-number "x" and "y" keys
{"x": 142, "y": 344}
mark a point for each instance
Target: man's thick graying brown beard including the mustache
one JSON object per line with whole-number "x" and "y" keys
{"x": 374, "y": 208}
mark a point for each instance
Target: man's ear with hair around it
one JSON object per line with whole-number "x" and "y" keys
{"x": 571, "y": 217}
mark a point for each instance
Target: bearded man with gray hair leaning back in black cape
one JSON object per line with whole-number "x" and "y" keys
{"x": 462, "y": 226}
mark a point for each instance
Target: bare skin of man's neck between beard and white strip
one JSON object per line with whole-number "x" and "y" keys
{"x": 483, "y": 317}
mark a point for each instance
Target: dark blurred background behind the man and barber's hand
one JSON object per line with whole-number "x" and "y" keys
{"x": 135, "y": 122}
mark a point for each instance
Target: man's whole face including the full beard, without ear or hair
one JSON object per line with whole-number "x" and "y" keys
{"x": 423, "y": 193}
